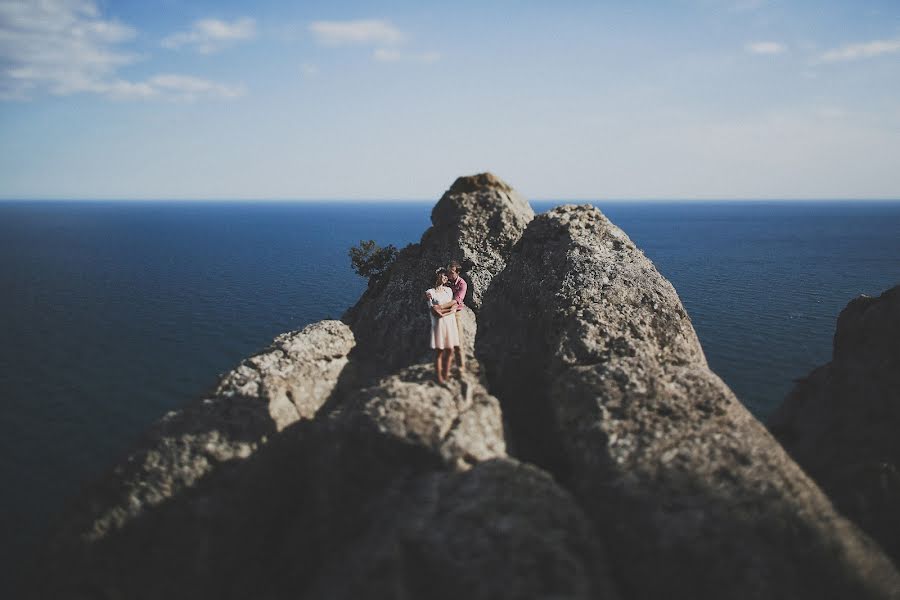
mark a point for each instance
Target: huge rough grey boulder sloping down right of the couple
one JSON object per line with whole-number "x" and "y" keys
{"x": 603, "y": 382}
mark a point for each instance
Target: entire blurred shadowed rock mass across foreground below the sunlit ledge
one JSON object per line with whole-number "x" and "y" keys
{"x": 335, "y": 508}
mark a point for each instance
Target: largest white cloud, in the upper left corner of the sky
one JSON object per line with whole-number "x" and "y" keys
{"x": 65, "y": 47}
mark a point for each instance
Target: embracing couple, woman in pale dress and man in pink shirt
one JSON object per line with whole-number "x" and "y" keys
{"x": 445, "y": 299}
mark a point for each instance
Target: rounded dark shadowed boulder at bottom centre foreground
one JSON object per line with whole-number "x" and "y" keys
{"x": 499, "y": 530}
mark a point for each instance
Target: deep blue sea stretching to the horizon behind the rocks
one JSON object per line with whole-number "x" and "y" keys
{"x": 112, "y": 313}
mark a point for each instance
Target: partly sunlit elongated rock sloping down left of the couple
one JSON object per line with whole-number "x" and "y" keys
{"x": 288, "y": 381}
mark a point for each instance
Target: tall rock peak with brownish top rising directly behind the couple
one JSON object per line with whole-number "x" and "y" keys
{"x": 476, "y": 222}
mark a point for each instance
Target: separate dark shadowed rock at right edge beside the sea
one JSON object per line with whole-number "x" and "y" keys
{"x": 841, "y": 423}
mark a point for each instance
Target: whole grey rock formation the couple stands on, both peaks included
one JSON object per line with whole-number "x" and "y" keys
{"x": 591, "y": 461}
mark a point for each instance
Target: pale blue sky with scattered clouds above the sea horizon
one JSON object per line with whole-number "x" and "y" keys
{"x": 685, "y": 99}
